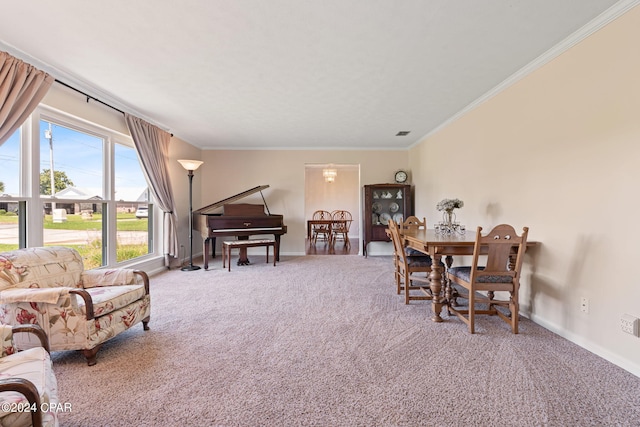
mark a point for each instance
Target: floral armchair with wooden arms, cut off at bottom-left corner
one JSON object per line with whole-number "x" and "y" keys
{"x": 28, "y": 386}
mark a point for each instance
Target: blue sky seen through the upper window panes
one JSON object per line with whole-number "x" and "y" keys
{"x": 76, "y": 153}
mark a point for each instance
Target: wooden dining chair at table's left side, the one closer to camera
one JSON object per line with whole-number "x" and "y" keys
{"x": 406, "y": 268}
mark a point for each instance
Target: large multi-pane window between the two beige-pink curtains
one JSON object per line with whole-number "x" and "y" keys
{"x": 76, "y": 185}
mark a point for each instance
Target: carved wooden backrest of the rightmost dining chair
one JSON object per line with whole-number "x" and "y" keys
{"x": 499, "y": 244}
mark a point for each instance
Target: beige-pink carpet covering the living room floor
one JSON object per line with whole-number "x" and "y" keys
{"x": 325, "y": 341}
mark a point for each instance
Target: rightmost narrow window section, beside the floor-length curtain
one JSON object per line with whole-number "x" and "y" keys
{"x": 133, "y": 209}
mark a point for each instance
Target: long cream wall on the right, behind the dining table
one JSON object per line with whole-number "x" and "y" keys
{"x": 558, "y": 152}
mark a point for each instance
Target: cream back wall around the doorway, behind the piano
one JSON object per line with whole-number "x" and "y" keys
{"x": 228, "y": 172}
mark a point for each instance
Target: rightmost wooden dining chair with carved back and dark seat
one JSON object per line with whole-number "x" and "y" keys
{"x": 499, "y": 273}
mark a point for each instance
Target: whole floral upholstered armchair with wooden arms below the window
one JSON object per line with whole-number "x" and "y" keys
{"x": 77, "y": 309}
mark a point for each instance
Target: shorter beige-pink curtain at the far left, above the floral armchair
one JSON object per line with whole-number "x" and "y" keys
{"x": 22, "y": 87}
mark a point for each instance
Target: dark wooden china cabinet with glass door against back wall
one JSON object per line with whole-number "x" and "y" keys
{"x": 383, "y": 202}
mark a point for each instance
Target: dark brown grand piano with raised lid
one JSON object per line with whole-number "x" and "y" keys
{"x": 225, "y": 218}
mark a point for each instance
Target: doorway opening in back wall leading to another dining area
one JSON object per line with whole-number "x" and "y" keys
{"x": 343, "y": 193}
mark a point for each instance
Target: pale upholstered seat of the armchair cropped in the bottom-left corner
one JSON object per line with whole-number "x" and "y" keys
{"x": 33, "y": 365}
